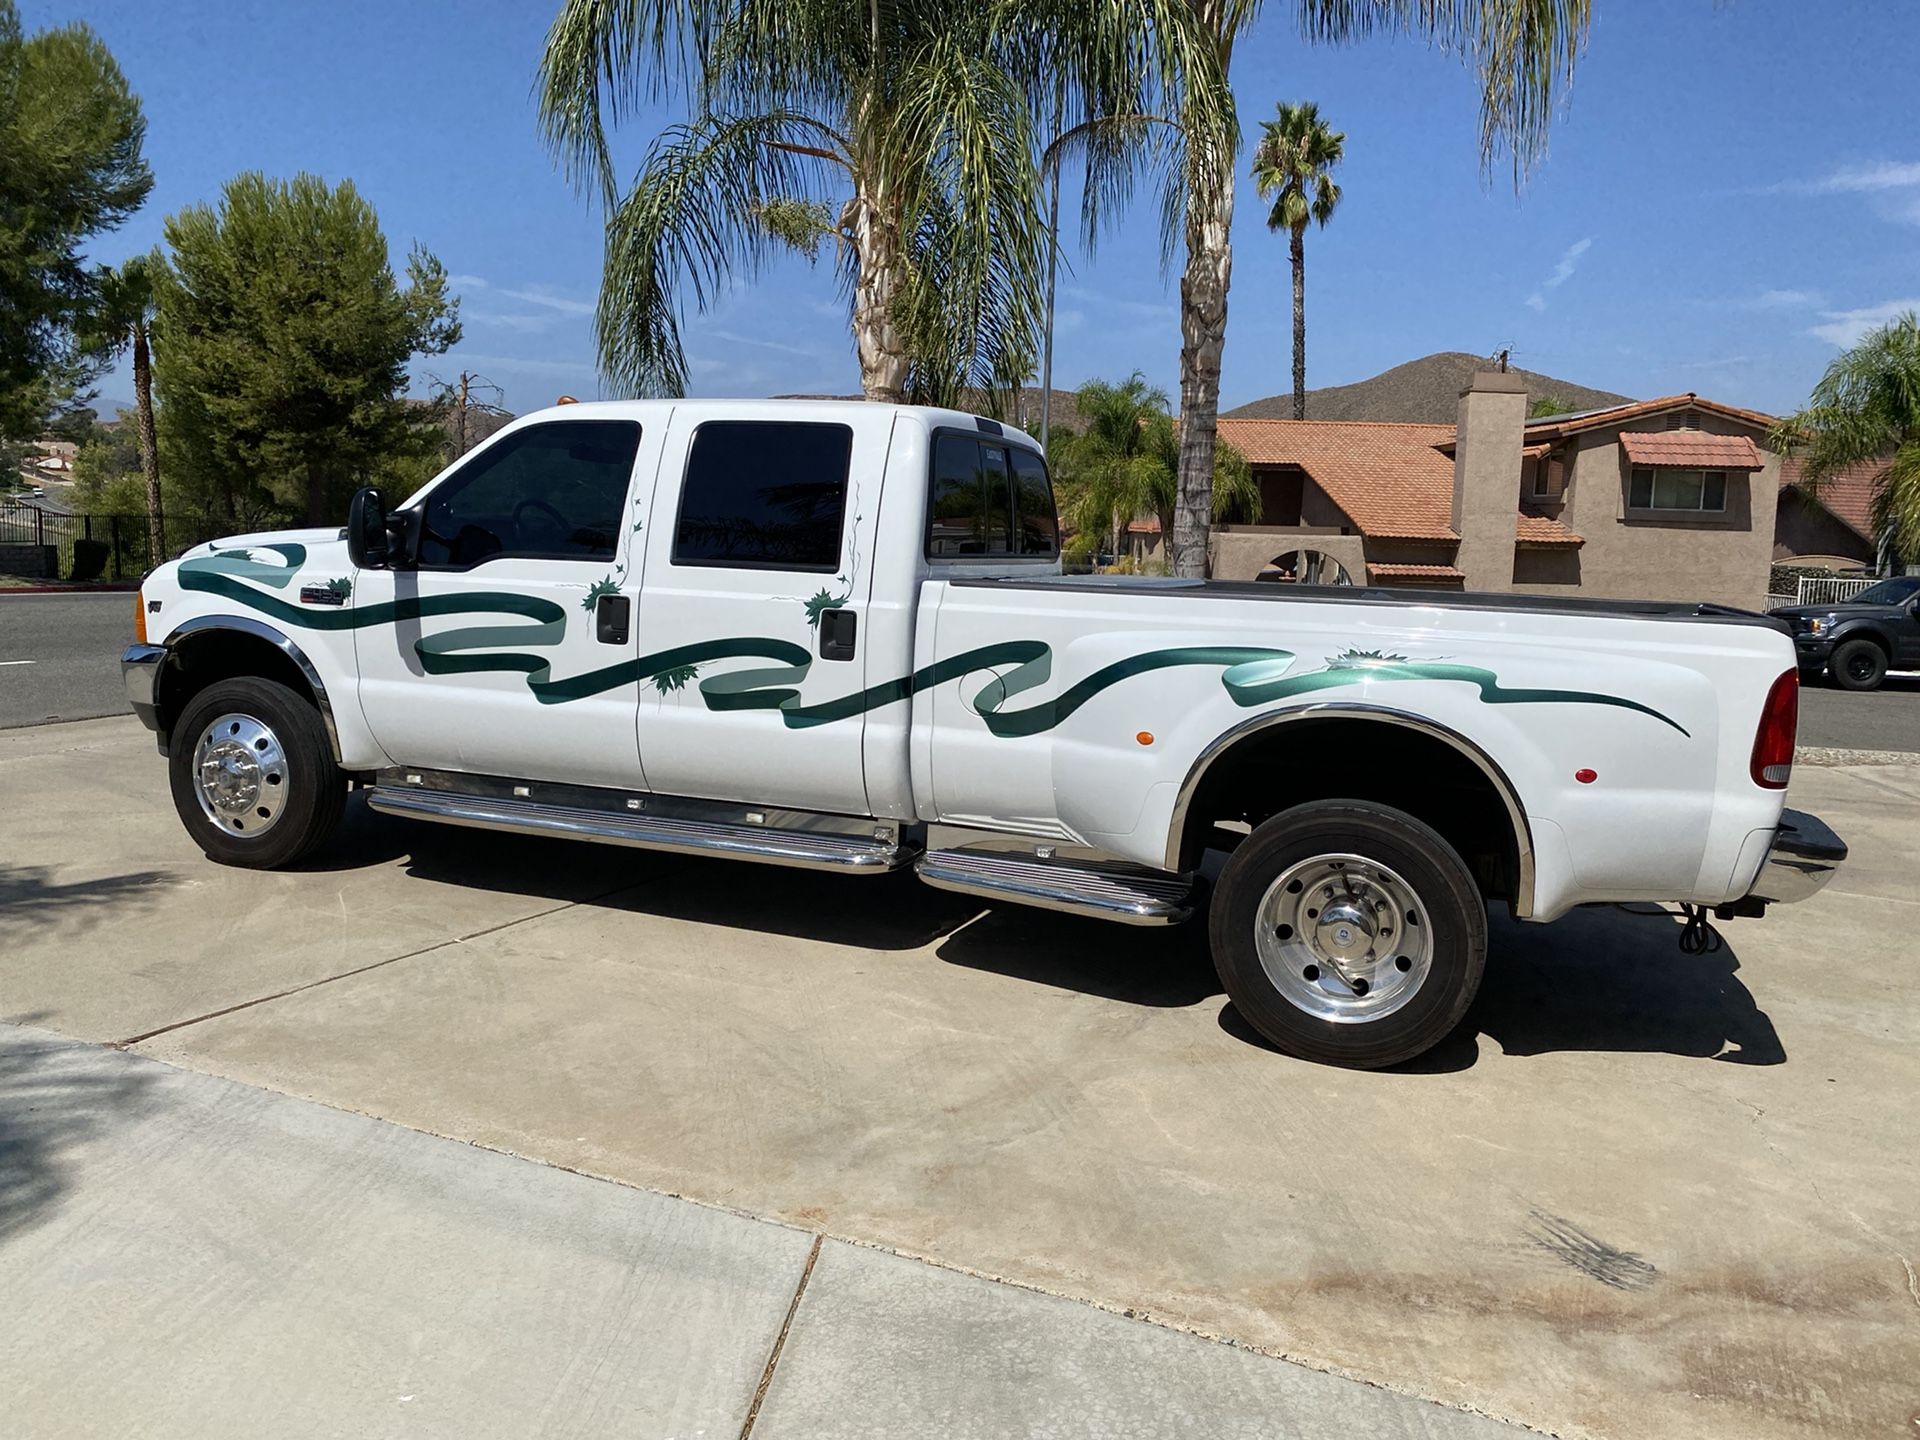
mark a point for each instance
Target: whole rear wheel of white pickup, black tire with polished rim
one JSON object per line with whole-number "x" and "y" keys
{"x": 1349, "y": 934}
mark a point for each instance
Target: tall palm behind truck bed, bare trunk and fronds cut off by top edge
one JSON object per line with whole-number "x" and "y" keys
{"x": 1524, "y": 53}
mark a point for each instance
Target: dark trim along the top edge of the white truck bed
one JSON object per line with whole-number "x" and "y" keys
{"x": 1468, "y": 600}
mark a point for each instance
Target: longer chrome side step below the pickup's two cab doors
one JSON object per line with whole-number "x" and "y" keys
{"x": 648, "y": 832}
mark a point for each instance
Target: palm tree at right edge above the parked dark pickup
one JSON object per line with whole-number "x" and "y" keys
{"x": 1867, "y": 408}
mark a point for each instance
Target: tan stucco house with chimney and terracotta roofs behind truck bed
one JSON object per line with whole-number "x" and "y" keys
{"x": 1652, "y": 500}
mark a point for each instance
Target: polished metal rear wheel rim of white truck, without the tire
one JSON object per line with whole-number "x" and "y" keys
{"x": 1345, "y": 938}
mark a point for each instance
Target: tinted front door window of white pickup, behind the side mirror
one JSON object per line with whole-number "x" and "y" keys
{"x": 552, "y": 492}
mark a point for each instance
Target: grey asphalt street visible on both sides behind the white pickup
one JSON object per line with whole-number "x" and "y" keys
{"x": 74, "y": 644}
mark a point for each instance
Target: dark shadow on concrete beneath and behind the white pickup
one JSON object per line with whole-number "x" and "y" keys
{"x": 1598, "y": 980}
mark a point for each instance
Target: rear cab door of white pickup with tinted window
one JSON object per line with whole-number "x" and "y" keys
{"x": 759, "y": 571}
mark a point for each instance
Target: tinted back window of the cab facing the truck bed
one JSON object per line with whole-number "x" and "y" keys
{"x": 988, "y": 500}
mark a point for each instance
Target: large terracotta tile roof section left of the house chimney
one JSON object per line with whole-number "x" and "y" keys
{"x": 1389, "y": 479}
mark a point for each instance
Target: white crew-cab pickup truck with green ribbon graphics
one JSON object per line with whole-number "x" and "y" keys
{"x": 836, "y": 636}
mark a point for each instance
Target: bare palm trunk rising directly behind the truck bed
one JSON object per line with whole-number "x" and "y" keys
{"x": 1203, "y": 339}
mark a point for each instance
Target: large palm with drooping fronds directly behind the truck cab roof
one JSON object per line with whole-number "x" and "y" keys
{"x": 900, "y": 133}
